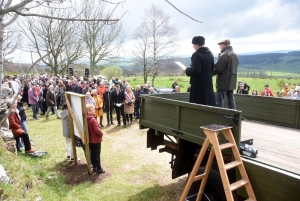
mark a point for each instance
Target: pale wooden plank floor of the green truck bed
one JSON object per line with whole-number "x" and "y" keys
{"x": 277, "y": 146}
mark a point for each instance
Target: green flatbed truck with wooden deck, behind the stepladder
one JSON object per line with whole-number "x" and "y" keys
{"x": 174, "y": 127}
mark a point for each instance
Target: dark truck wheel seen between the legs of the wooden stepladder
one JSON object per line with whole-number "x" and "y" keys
{"x": 213, "y": 189}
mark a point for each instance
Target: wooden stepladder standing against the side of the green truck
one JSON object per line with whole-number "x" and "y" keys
{"x": 211, "y": 132}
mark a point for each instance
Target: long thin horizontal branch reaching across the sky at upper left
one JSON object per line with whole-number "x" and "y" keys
{"x": 65, "y": 19}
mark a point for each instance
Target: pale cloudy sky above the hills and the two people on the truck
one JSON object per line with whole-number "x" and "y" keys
{"x": 251, "y": 25}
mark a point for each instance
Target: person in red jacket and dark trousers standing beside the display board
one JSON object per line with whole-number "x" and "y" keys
{"x": 95, "y": 139}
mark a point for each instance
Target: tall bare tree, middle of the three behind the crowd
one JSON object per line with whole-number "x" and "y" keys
{"x": 102, "y": 40}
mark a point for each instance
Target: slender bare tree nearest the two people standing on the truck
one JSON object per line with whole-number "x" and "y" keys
{"x": 155, "y": 40}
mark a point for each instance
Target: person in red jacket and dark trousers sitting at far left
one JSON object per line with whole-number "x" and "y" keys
{"x": 16, "y": 128}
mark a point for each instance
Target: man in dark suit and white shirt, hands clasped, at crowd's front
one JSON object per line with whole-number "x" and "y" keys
{"x": 118, "y": 98}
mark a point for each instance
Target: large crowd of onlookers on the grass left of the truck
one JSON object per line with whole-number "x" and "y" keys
{"x": 44, "y": 94}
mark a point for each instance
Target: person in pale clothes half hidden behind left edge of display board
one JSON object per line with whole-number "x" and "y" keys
{"x": 66, "y": 131}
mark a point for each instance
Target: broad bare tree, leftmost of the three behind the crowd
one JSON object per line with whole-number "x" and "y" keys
{"x": 61, "y": 38}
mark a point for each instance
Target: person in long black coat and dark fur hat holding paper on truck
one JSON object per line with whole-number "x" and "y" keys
{"x": 200, "y": 72}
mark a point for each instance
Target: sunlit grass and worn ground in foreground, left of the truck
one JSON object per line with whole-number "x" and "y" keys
{"x": 134, "y": 174}
